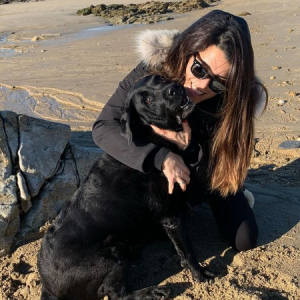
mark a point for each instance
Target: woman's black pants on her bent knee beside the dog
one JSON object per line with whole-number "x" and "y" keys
{"x": 233, "y": 215}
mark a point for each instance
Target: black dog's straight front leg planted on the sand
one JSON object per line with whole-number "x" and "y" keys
{"x": 176, "y": 230}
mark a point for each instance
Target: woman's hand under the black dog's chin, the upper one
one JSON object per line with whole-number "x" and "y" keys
{"x": 181, "y": 139}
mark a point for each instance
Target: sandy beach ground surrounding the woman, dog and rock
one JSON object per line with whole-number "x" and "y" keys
{"x": 69, "y": 74}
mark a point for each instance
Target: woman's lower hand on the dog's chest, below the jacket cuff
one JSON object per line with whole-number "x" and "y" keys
{"x": 175, "y": 170}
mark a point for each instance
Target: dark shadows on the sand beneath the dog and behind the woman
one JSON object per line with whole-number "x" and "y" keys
{"x": 277, "y": 212}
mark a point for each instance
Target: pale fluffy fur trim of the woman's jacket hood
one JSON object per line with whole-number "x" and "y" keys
{"x": 153, "y": 45}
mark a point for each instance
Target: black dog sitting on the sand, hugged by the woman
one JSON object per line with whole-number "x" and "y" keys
{"x": 83, "y": 255}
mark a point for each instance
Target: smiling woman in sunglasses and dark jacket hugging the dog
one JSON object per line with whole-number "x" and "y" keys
{"x": 213, "y": 59}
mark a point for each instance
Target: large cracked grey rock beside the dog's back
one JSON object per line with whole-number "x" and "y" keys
{"x": 40, "y": 169}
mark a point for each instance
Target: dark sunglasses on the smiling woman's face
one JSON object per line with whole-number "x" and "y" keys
{"x": 215, "y": 84}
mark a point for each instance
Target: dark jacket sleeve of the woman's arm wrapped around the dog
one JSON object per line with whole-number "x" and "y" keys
{"x": 107, "y": 130}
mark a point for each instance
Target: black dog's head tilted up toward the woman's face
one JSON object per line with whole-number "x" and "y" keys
{"x": 154, "y": 100}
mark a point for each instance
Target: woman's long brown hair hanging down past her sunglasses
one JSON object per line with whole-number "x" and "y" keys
{"x": 232, "y": 143}
